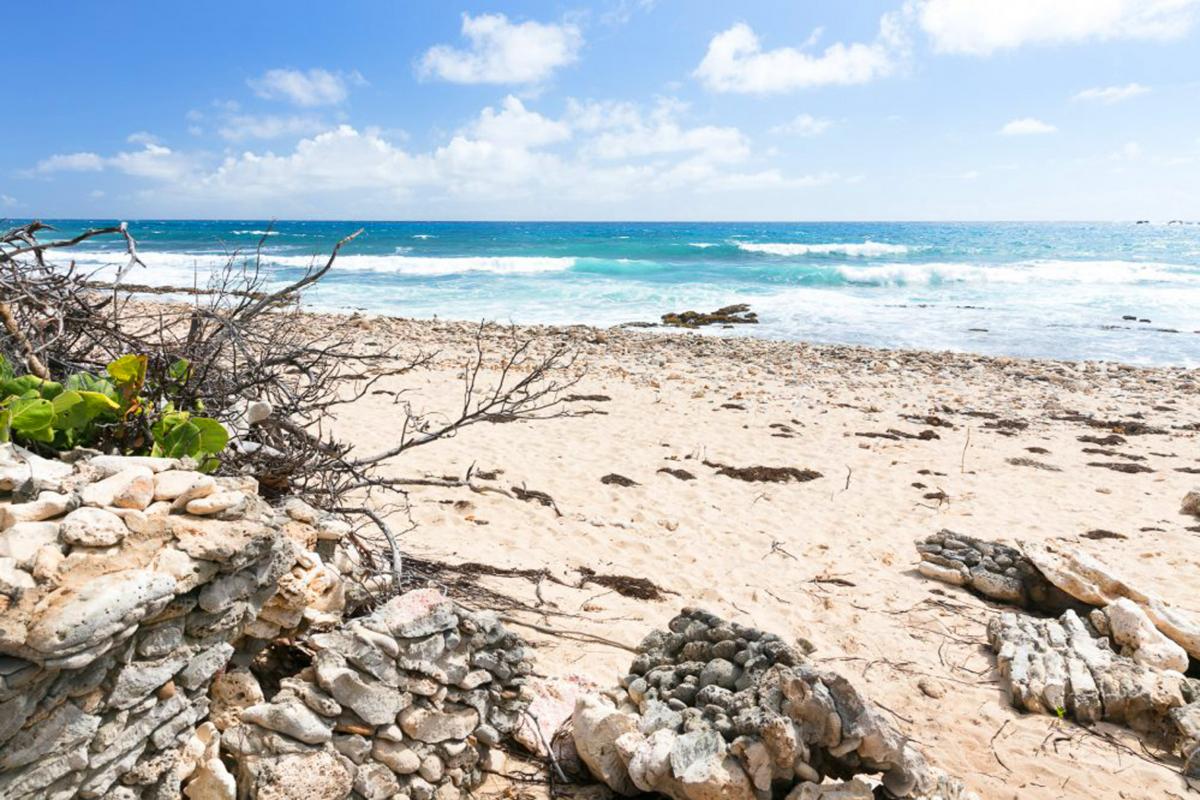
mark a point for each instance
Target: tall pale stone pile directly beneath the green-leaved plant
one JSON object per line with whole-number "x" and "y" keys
{"x": 125, "y": 586}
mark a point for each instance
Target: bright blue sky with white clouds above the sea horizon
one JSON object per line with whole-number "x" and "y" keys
{"x": 615, "y": 110}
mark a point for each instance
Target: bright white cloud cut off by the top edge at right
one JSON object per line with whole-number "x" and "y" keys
{"x": 983, "y": 27}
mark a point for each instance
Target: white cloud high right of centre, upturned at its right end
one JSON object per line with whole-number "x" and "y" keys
{"x": 736, "y": 62}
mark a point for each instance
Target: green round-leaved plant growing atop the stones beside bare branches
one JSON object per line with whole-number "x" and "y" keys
{"x": 109, "y": 413}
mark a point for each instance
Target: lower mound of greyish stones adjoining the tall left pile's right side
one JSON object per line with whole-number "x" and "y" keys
{"x": 410, "y": 701}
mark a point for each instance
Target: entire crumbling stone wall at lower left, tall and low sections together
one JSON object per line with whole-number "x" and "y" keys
{"x": 135, "y": 593}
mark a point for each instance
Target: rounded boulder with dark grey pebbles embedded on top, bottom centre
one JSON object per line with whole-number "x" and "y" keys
{"x": 715, "y": 711}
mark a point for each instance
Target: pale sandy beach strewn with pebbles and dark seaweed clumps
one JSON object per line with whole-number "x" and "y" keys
{"x": 907, "y": 444}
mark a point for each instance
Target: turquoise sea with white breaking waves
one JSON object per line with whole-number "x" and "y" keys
{"x": 1029, "y": 290}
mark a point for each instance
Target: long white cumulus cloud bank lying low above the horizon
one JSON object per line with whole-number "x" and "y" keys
{"x": 593, "y": 153}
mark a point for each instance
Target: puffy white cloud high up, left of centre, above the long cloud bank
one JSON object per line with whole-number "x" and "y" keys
{"x": 502, "y": 52}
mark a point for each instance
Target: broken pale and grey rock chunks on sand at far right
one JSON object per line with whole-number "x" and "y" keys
{"x": 1118, "y": 653}
